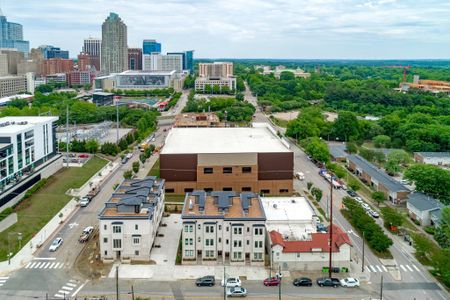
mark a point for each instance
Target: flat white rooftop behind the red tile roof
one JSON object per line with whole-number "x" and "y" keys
{"x": 293, "y": 217}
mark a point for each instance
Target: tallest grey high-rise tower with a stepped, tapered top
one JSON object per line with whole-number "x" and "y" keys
{"x": 114, "y": 51}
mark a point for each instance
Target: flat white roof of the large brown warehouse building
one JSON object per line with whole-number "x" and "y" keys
{"x": 258, "y": 139}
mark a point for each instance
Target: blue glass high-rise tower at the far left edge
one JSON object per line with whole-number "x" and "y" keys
{"x": 11, "y": 36}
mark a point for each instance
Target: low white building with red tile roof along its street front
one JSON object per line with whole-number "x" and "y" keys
{"x": 294, "y": 243}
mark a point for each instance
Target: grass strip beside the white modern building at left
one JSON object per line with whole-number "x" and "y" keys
{"x": 37, "y": 210}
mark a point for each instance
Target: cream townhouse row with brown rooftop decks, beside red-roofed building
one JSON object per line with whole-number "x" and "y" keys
{"x": 223, "y": 227}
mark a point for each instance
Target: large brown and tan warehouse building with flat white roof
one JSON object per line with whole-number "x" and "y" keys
{"x": 227, "y": 159}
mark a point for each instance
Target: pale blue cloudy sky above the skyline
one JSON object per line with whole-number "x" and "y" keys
{"x": 301, "y": 29}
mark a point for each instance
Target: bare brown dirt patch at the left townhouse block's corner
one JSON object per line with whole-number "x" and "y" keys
{"x": 88, "y": 263}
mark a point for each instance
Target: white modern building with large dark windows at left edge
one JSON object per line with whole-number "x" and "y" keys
{"x": 25, "y": 143}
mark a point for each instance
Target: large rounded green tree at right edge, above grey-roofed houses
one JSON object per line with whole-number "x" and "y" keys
{"x": 430, "y": 179}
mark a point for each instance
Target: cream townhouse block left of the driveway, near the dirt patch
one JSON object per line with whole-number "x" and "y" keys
{"x": 130, "y": 219}
